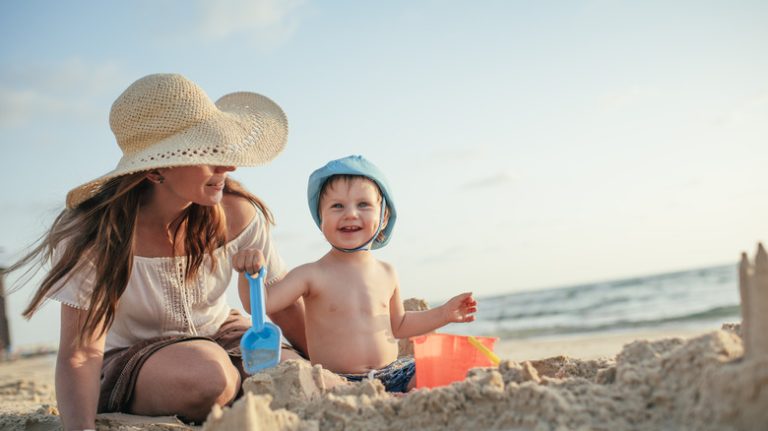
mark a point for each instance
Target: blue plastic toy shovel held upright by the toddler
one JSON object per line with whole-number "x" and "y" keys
{"x": 260, "y": 345}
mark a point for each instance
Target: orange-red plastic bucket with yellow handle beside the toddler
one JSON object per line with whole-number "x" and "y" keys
{"x": 445, "y": 358}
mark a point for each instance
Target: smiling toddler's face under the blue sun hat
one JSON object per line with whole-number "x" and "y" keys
{"x": 349, "y": 212}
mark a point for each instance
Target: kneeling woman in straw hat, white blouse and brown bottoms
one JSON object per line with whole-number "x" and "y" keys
{"x": 141, "y": 257}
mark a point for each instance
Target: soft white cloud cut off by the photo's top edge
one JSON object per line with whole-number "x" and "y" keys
{"x": 266, "y": 23}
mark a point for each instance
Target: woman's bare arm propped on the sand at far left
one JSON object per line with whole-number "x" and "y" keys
{"x": 78, "y": 370}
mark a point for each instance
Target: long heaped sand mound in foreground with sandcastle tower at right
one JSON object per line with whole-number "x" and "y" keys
{"x": 714, "y": 382}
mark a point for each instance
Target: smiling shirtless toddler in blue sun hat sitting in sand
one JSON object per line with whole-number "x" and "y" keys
{"x": 353, "y": 308}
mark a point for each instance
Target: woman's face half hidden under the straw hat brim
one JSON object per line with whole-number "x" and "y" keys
{"x": 202, "y": 184}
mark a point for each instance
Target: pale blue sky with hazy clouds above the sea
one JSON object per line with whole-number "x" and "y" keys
{"x": 528, "y": 144}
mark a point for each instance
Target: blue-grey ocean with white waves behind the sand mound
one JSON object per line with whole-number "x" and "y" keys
{"x": 698, "y": 298}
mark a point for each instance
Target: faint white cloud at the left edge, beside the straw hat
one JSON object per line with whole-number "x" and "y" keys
{"x": 67, "y": 90}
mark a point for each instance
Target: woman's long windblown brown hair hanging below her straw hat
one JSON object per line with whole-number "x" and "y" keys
{"x": 99, "y": 234}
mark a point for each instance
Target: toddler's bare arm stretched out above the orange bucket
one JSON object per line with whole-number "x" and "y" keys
{"x": 406, "y": 324}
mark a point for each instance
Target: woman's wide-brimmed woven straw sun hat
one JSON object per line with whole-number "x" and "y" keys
{"x": 166, "y": 120}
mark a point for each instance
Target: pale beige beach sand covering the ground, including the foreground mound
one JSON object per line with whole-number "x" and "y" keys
{"x": 702, "y": 382}
